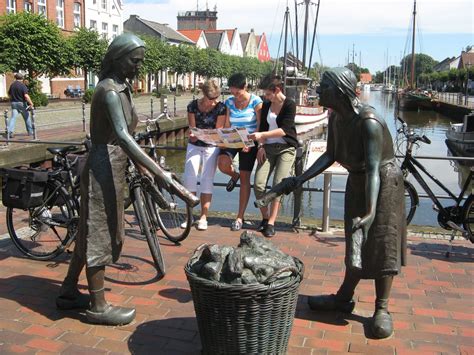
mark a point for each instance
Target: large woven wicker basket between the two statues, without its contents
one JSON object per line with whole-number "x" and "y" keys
{"x": 245, "y": 319}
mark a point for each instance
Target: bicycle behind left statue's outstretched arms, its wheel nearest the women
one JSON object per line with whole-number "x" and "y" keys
{"x": 175, "y": 220}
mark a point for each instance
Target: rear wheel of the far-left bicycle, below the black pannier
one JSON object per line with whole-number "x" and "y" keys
{"x": 43, "y": 232}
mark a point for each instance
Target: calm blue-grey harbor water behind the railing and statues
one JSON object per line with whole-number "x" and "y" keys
{"x": 429, "y": 123}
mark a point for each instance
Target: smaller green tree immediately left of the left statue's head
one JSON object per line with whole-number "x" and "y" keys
{"x": 88, "y": 48}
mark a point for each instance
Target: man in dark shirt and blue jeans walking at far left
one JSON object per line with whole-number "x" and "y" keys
{"x": 21, "y": 104}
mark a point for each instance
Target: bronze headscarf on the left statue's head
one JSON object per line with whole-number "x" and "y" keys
{"x": 121, "y": 45}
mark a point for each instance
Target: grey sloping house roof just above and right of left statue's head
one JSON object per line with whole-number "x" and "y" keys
{"x": 137, "y": 25}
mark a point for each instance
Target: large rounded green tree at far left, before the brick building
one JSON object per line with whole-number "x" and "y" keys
{"x": 31, "y": 43}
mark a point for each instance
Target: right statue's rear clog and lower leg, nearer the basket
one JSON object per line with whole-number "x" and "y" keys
{"x": 342, "y": 301}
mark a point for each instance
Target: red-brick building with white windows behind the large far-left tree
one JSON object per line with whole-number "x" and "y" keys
{"x": 67, "y": 14}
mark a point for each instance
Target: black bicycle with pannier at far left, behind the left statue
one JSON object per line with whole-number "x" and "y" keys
{"x": 45, "y": 229}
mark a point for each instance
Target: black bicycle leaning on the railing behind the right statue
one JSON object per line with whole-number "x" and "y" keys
{"x": 458, "y": 217}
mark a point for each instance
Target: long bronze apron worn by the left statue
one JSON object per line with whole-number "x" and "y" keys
{"x": 100, "y": 234}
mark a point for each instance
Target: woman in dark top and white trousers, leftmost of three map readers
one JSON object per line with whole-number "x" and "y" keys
{"x": 206, "y": 112}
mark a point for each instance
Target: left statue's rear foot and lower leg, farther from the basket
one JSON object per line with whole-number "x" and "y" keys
{"x": 69, "y": 295}
